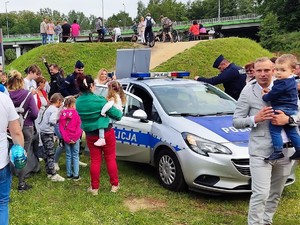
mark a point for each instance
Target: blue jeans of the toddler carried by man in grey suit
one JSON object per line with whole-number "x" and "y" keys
{"x": 291, "y": 132}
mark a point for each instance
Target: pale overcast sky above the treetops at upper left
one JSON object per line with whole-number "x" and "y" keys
{"x": 88, "y": 7}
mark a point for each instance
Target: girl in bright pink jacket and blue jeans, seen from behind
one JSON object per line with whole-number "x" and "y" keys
{"x": 69, "y": 126}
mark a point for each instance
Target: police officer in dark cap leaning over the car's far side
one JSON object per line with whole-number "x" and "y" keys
{"x": 232, "y": 77}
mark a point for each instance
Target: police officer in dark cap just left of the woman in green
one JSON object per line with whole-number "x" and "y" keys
{"x": 69, "y": 87}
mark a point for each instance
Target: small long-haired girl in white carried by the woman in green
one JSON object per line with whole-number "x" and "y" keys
{"x": 116, "y": 98}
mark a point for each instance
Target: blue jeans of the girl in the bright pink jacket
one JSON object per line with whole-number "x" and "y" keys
{"x": 72, "y": 157}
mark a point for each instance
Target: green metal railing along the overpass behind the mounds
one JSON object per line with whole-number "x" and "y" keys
{"x": 128, "y": 30}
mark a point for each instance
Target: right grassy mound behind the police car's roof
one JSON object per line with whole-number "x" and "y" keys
{"x": 199, "y": 59}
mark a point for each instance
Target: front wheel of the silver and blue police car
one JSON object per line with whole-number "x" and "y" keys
{"x": 169, "y": 171}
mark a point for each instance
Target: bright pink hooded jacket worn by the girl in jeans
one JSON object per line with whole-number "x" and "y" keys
{"x": 69, "y": 125}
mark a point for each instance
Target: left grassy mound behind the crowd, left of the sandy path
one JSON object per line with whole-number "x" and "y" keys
{"x": 94, "y": 56}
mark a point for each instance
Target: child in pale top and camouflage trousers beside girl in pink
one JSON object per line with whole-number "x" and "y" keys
{"x": 48, "y": 120}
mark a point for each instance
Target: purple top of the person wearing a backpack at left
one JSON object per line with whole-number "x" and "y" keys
{"x": 17, "y": 97}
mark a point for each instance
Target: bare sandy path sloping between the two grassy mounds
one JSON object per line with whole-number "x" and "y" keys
{"x": 162, "y": 52}
